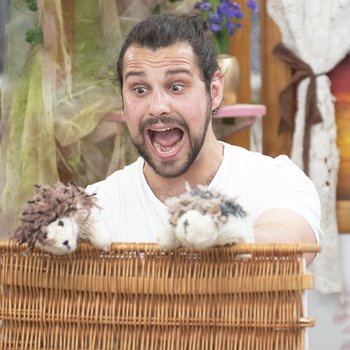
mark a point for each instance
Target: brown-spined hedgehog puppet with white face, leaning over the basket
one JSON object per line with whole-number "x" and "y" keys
{"x": 58, "y": 217}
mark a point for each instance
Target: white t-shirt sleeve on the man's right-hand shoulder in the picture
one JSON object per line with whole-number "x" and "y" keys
{"x": 287, "y": 186}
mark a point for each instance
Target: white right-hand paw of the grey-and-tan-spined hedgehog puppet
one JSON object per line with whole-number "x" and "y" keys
{"x": 236, "y": 230}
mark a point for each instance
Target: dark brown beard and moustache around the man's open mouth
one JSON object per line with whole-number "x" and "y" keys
{"x": 170, "y": 168}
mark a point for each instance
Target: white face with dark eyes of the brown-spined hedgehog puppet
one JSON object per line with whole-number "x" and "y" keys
{"x": 60, "y": 237}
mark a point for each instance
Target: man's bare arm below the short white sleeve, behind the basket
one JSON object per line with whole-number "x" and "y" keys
{"x": 284, "y": 226}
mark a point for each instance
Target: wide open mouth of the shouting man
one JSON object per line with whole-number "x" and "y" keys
{"x": 166, "y": 141}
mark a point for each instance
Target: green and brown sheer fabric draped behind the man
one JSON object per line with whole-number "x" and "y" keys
{"x": 58, "y": 94}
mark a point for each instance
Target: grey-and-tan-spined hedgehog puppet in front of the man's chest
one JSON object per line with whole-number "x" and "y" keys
{"x": 201, "y": 218}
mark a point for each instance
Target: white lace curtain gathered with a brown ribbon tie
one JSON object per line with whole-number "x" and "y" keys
{"x": 318, "y": 34}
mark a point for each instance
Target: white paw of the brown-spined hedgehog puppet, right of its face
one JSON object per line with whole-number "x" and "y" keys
{"x": 95, "y": 231}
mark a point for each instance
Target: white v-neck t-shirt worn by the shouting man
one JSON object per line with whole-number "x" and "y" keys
{"x": 134, "y": 214}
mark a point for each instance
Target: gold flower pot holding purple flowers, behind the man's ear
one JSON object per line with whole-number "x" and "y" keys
{"x": 230, "y": 68}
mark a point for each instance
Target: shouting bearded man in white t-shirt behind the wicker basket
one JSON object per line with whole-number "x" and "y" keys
{"x": 171, "y": 85}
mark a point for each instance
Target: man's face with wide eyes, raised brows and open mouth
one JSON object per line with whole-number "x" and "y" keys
{"x": 166, "y": 106}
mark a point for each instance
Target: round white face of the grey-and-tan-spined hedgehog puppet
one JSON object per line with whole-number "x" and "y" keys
{"x": 196, "y": 230}
